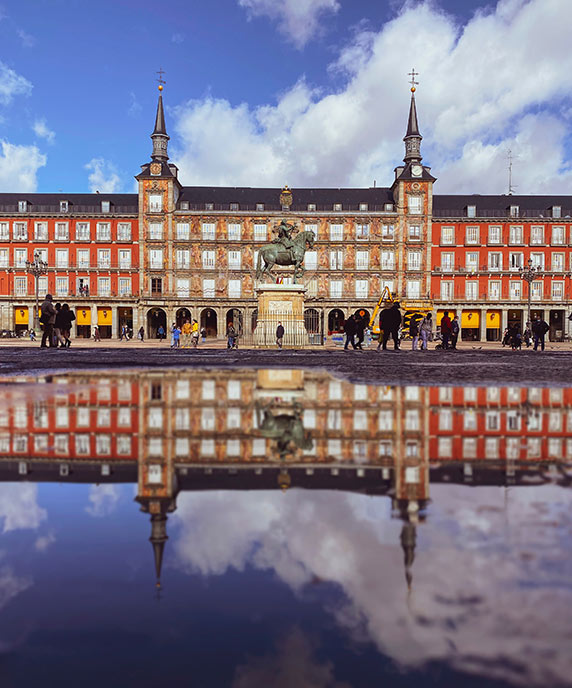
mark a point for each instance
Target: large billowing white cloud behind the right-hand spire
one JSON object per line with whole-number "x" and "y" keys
{"x": 482, "y": 91}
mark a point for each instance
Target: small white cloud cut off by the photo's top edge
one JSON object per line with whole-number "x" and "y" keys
{"x": 298, "y": 20}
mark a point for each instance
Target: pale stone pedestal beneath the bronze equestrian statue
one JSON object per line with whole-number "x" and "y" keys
{"x": 281, "y": 303}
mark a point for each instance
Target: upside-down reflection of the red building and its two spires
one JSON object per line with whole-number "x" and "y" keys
{"x": 173, "y": 431}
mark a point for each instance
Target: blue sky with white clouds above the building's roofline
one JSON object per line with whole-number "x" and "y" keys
{"x": 297, "y": 92}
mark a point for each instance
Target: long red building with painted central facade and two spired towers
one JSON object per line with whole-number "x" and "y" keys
{"x": 169, "y": 252}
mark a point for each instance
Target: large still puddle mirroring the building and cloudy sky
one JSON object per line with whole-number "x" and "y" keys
{"x": 304, "y": 531}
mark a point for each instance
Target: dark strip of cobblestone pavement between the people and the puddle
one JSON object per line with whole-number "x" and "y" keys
{"x": 467, "y": 366}
